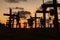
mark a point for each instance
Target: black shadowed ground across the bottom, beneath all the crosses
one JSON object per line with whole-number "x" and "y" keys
{"x": 29, "y": 34}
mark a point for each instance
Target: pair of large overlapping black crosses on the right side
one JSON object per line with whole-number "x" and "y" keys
{"x": 45, "y": 6}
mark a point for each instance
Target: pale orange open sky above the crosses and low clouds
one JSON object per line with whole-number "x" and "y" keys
{"x": 29, "y": 5}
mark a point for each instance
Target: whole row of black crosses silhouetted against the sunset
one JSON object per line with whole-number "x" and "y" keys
{"x": 44, "y": 7}
